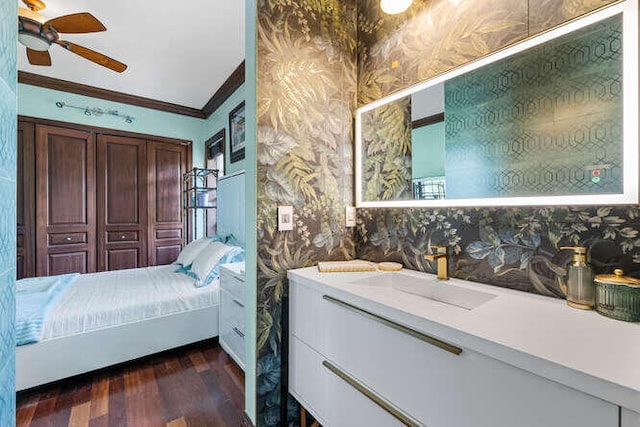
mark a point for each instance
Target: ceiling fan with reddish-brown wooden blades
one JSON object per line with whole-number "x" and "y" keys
{"x": 38, "y": 34}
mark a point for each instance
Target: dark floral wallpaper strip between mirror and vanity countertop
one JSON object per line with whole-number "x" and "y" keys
{"x": 518, "y": 248}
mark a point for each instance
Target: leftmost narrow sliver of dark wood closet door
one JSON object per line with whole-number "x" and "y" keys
{"x": 25, "y": 212}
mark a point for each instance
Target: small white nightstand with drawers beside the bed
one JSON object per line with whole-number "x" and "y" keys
{"x": 232, "y": 329}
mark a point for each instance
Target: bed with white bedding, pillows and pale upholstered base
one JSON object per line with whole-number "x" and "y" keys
{"x": 102, "y": 319}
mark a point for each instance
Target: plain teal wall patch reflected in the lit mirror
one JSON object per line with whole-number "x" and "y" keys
{"x": 427, "y": 151}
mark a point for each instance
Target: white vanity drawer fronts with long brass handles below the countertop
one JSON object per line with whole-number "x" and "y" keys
{"x": 335, "y": 345}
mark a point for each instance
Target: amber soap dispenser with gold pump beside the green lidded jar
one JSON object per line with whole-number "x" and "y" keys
{"x": 580, "y": 287}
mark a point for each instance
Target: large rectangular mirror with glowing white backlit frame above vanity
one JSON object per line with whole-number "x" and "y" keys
{"x": 550, "y": 121}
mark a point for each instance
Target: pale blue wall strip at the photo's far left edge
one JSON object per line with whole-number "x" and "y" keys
{"x": 8, "y": 83}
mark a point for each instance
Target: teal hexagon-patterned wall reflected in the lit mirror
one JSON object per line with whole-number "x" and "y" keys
{"x": 552, "y": 113}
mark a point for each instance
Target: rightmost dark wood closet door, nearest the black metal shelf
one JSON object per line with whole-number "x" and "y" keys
{"x": 166, "y": 165}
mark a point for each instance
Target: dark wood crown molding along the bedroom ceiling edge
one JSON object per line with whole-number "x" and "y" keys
{"x": 232, "y": 83}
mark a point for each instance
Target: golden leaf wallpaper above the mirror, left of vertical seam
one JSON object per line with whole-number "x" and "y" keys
{"x": 431, "y": 37}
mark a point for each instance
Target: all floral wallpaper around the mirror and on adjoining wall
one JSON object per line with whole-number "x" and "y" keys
{"x": 318, "y": 60}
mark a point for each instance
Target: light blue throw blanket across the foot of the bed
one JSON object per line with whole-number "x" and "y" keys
{"x": 35, "y": 298}
